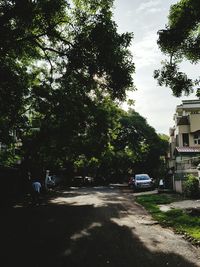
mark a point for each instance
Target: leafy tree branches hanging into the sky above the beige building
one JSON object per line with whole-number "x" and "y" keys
{"x": 180, "y": 40}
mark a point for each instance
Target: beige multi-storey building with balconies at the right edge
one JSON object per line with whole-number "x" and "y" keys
{"x": 184, "y": 151}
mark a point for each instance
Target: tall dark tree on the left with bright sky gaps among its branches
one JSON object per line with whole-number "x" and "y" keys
{"x": 60, "y": 56}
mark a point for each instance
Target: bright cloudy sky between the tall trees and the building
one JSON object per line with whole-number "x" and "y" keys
{"x": 144, "y": 18}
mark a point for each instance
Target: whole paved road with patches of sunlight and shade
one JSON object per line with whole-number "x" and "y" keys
{"x": 97, "y": 227}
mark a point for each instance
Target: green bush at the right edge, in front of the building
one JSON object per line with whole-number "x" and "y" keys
{"x": 191, "y": 186}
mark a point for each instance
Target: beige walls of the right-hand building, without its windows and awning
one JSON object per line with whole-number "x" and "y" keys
{"x": 183, "y": 166}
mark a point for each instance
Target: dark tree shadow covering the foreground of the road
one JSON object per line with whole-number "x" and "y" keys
{"x": 75, "y": 235}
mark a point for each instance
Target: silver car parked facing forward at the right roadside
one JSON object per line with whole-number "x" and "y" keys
{"x": 142, "y": 181}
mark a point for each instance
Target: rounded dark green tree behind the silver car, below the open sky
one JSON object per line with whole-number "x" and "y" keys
{"x": 137, "y": 147}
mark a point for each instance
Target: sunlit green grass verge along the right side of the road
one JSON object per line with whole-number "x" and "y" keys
{"x": 179, "y": 220}
